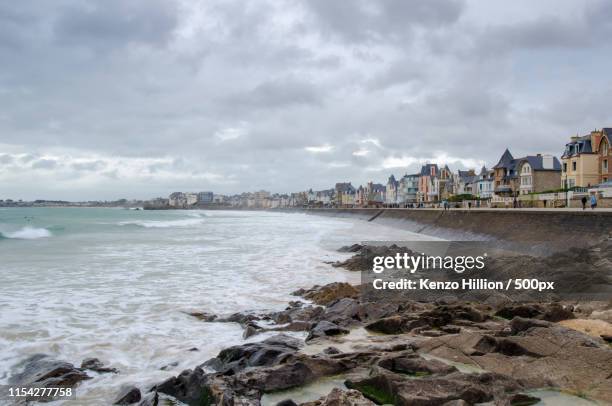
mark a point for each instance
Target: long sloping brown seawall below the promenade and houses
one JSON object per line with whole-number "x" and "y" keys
{"x": 538, "y": 230}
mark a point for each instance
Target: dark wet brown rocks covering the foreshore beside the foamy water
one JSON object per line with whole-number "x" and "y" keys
{"x": 448, "y": 350}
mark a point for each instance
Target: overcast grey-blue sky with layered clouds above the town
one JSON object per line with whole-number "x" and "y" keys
{"x": 112, "y": 99}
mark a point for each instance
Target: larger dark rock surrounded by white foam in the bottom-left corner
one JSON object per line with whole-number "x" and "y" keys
{"x": 40, "y": 370}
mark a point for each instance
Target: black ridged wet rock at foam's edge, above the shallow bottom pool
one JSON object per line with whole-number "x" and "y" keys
{"x": 271, "y": 351}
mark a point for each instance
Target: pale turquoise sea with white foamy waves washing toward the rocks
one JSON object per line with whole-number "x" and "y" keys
{"x": 115, "y": 283}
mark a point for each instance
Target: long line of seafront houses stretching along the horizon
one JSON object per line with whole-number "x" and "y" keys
{"x": 581, "y": 175}
